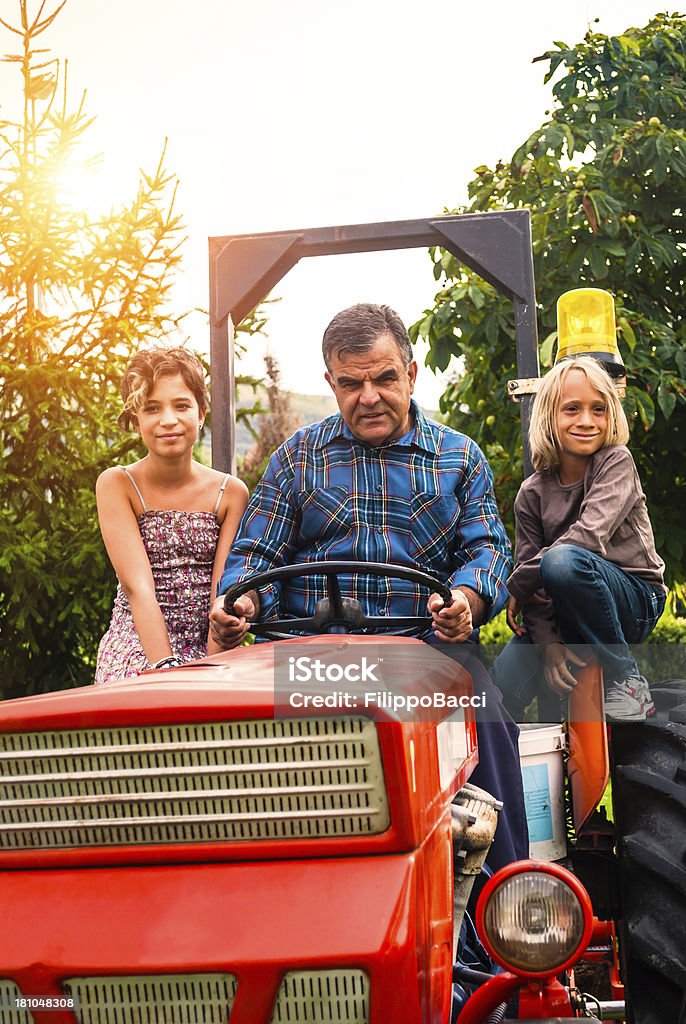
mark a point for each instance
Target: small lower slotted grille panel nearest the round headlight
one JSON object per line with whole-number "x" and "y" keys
{"x": 320, "y": 997}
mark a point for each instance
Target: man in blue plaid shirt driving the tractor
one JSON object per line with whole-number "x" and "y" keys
{"x": 376, "y": 483}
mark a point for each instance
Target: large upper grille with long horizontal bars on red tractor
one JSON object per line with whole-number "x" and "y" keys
{"x": 198, "y": 783}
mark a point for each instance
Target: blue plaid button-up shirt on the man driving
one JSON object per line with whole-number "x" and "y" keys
{"x": 425, "y": 501}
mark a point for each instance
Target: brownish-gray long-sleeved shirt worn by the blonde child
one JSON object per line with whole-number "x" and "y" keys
{"x": 605, "y": 513}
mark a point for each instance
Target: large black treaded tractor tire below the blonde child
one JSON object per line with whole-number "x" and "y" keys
{"x": 650, "y": 798}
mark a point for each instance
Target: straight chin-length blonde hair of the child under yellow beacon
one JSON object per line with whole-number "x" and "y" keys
{"x": 543, "y": 435}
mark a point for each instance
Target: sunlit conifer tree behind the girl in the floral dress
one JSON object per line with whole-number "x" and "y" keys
{"x": 77, "y": 297}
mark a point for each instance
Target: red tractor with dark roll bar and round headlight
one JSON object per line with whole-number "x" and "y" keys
{"x": 190, "y": 846}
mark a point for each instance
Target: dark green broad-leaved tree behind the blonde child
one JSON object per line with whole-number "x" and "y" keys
{"x": 606, "y": 181}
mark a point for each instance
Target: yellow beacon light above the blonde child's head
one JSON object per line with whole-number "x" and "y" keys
{"x": 586, "y": 327}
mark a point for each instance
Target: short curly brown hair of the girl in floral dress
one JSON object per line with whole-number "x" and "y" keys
{"x": 148, "y": 367}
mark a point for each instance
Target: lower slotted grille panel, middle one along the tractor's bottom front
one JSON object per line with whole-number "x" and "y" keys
{"x": 196, "y": 999}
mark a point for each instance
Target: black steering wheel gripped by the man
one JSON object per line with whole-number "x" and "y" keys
{"x": 335, "y": 614}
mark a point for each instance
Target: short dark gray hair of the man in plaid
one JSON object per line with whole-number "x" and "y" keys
{"x": 354, "y": 332}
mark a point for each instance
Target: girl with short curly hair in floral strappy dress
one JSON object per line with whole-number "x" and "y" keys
{"x": 167, "y": 522}
